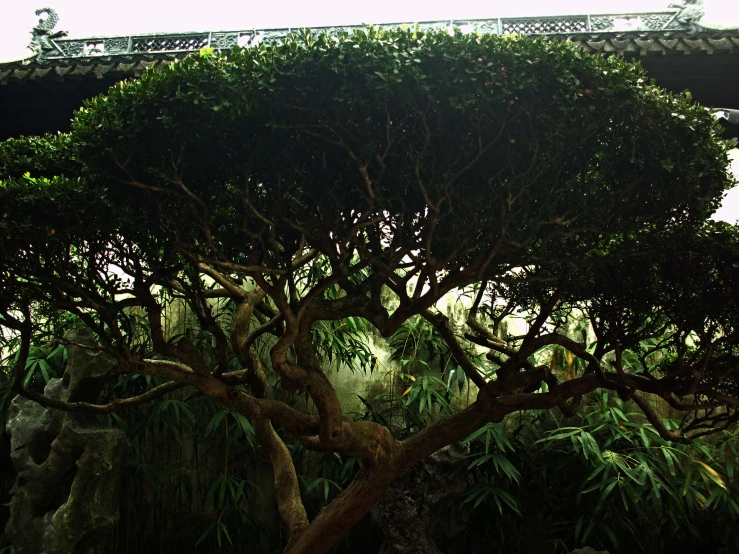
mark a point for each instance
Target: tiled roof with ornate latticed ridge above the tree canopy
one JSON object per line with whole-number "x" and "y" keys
{"x": 123, "y": 56}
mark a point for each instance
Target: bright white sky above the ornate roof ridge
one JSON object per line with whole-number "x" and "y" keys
{"x": 86, "y": 19}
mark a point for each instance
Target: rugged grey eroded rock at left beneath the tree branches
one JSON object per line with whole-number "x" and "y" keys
{"x": 69, "y": 468}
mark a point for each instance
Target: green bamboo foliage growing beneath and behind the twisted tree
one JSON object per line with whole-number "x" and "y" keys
{"x": 537, "y": 482}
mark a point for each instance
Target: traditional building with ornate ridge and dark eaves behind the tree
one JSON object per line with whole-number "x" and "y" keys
{"x": 39, "y": 93}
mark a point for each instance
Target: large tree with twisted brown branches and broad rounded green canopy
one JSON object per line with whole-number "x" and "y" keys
{"x": 301, "y": 181}
